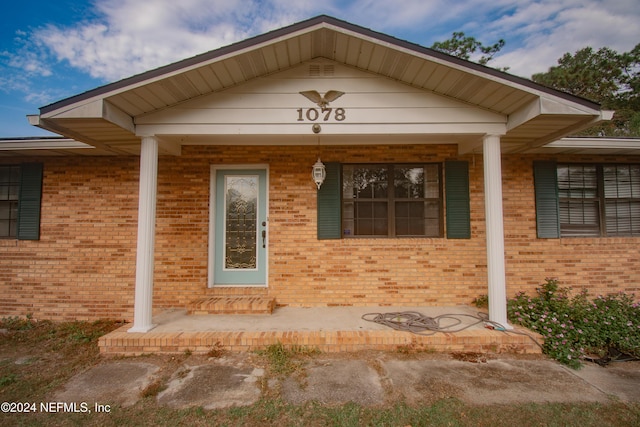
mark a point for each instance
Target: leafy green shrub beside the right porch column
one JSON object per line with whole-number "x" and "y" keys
{"x": 577, "y": 326}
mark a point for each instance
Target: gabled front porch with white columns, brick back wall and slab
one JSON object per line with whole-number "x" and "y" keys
{"x": 245, "y": 106}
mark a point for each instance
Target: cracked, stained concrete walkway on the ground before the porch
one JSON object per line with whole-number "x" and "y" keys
{"x": 368, "y": 378}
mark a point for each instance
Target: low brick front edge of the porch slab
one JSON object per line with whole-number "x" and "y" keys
{"x": 121, "y": 342}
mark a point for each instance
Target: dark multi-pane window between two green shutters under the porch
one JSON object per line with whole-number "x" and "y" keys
{"x": 396, "y": 200}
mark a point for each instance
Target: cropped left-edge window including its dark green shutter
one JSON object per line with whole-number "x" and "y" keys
{"x": 20, "y": 195}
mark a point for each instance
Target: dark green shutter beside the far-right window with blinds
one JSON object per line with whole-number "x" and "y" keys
{"x": 545, "y": 177}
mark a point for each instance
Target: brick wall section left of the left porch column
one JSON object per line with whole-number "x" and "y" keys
{"x": 83, "y": 265}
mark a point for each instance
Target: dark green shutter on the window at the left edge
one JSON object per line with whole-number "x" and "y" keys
{"x": 29, "y": 202}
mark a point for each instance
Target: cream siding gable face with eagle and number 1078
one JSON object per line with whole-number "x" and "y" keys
{"x": 280, "y": 104}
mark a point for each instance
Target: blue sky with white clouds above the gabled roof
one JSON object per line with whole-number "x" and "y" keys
{"x": 51, "y": 50}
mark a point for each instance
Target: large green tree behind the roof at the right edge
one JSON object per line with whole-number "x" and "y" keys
{"x": 605, "y": 76}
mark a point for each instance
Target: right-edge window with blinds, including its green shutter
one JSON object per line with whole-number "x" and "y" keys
{"x": 587, "y": 200}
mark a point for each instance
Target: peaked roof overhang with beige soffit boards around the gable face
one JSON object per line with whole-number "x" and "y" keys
{"x": 105, "y": 117}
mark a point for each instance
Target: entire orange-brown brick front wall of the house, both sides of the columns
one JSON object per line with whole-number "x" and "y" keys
{"x": 84, "y": 265}
